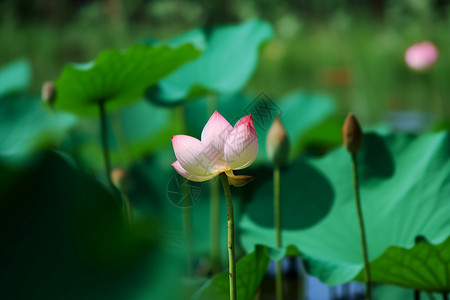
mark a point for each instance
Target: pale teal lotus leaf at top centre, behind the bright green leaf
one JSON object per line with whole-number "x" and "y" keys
{"x": 229, "y": 59}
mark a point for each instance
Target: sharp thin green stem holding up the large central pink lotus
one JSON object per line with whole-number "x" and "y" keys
{"x": 231, "y": 254}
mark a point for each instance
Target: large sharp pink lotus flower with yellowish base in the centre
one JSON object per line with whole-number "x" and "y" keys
{"x": 222, "y": 148}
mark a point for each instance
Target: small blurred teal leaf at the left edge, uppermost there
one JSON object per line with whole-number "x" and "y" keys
{"x": 14, "y": 76}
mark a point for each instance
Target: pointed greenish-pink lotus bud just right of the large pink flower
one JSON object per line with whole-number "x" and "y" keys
{"x": 277, "y": 143}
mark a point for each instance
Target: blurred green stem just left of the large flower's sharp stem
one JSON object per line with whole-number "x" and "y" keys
{"x": 215, "y": 225}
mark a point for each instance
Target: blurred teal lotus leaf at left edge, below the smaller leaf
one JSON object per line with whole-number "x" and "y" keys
{"x": 25, "y": 125}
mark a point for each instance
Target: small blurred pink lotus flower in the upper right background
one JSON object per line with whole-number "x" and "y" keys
{"x": 421, "y": 56}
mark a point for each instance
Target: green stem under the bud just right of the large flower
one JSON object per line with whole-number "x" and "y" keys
{"x": 277, "y": 218}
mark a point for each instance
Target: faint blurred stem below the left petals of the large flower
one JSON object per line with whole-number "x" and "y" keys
{"x": 187, "y": 226}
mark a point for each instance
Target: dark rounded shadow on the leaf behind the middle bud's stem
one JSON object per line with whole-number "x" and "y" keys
{"x": 306, "y": 197}
